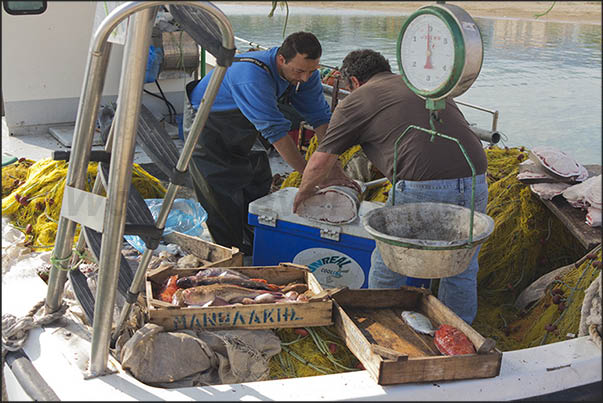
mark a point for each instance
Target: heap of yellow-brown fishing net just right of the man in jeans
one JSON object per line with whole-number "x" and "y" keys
{"x": 527, "y": 242}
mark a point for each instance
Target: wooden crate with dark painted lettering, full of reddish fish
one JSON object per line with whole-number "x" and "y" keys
{"x": 316, "y": 312}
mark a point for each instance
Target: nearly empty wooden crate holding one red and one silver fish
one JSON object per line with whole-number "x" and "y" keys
{"x": 370, "y": 322}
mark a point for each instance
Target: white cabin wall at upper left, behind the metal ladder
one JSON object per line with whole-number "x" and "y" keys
{"x": 43, "y": 63}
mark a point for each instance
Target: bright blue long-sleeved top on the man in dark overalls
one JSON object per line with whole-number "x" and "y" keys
{"x": 254, "y": 92}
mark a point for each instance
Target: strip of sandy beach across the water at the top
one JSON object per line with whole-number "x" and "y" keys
{"x": 562, "y": 11}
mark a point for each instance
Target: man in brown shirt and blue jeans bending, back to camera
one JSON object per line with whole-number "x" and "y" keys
{"x": 378, "y": 110}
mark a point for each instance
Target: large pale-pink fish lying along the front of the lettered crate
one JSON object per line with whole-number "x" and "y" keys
{"x": 205, "y": 295}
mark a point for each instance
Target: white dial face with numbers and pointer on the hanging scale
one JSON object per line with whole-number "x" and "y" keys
{"x": 427, "y": 52}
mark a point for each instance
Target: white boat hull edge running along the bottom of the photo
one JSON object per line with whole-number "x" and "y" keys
{"x": 60, "y": 356}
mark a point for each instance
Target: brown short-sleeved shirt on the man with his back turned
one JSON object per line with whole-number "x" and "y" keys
{"x": 378, "y": 112}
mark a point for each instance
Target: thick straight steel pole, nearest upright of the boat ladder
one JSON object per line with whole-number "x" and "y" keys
{"x": 120, "y": 177}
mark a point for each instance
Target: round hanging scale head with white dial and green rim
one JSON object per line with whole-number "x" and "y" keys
{"x": 440, "y": 51}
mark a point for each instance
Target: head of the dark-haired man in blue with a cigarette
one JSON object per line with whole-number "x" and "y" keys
{"x": 298, "y": 57}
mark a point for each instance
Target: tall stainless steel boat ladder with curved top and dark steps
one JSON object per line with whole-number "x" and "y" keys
{"x": 104, "y": 220}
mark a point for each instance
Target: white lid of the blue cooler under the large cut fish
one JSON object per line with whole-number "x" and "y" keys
{"x": 279, "y": 205}
